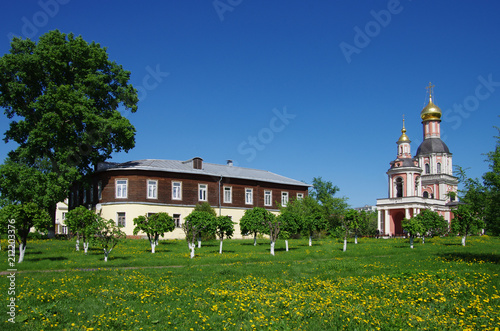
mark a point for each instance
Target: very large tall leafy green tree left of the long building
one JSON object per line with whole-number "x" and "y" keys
{"x": 63, "y": 97}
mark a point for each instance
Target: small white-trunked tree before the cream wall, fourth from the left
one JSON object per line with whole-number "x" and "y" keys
{"x": 154, "y": 226}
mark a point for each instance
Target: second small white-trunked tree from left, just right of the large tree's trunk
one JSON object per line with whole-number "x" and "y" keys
{"x": 82, "y": 221}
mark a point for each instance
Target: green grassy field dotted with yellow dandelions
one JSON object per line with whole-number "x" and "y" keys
{"x": 378, "y": 284}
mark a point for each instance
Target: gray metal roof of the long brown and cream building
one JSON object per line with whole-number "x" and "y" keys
{"x": 209, "y": 169}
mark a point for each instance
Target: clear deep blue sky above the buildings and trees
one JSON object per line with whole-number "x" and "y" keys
{"x": 300, "y": 88}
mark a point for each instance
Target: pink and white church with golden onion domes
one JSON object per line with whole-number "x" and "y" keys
{"x": 421, "y": 182}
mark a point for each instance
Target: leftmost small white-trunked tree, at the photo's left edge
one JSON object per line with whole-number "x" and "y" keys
{"x": 17, "y": 220}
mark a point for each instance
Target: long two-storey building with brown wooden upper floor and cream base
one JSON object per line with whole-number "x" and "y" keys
{"x": 124, "y": 191}
